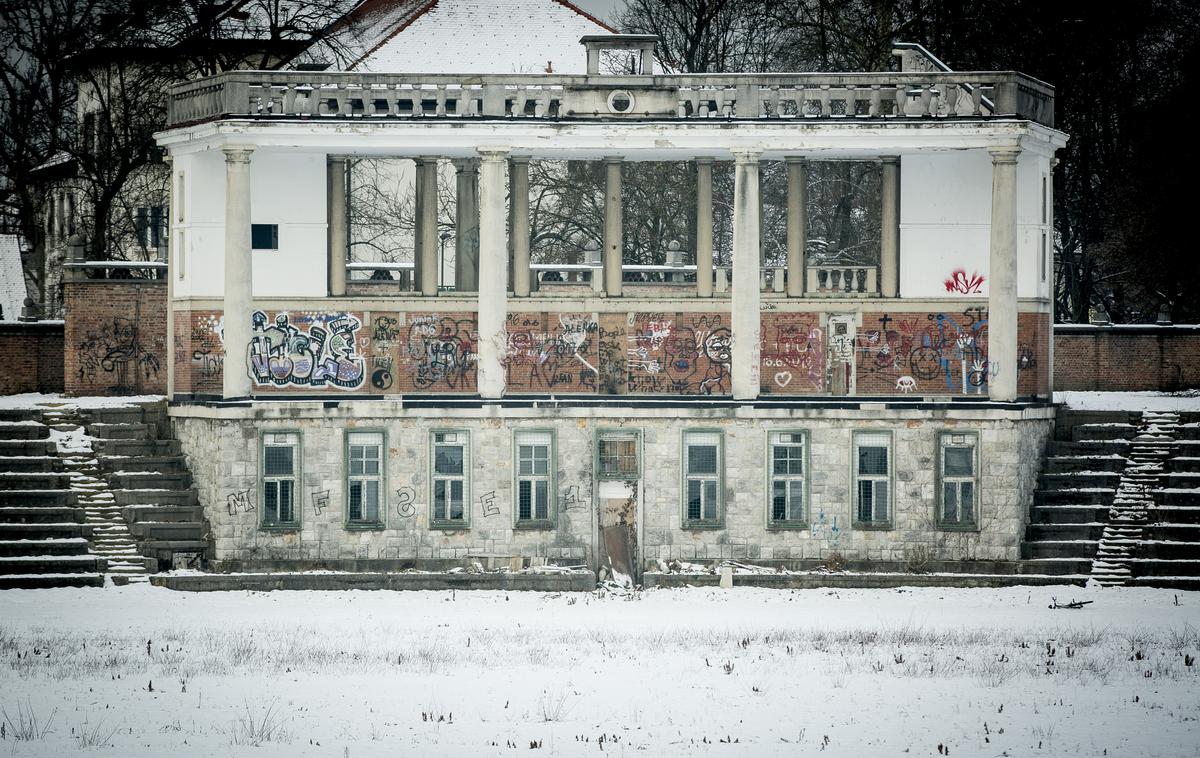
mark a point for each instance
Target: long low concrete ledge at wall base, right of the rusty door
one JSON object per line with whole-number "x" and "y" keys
{"x": 868, "y": 581}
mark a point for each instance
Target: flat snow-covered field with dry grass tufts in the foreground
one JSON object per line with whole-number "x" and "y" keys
{"x": 141, "y": 671}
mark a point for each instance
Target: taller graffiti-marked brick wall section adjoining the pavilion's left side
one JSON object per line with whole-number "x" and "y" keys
{"x": 116, "y": 338}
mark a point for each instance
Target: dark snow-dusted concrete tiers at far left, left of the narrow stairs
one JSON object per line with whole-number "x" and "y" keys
{"x": 44, "y": 536}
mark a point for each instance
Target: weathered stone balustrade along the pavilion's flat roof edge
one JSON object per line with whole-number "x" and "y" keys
{"x": 867, "y": 95}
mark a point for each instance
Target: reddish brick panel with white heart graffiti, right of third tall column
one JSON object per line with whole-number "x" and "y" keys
{"x": 794, "y": 354}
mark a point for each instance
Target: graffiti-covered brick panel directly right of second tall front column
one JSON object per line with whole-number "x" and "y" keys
{"x": 551, "y": 353}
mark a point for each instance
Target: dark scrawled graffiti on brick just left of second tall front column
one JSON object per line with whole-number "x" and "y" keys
{"x": 441, "y": 353}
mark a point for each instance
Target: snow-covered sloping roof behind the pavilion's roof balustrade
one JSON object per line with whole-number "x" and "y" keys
{"x": 475, "y": 37}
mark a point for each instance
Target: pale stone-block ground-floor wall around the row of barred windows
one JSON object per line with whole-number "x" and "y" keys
{"x": 224, "y": 450}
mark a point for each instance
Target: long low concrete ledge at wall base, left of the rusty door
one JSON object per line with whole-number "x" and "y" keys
{"x": 575, "y": 582}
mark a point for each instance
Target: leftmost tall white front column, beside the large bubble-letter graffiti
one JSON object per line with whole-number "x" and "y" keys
{"x": 239, "y": 273}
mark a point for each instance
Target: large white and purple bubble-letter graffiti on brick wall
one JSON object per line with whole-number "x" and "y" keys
{"x": 308, "y": 350}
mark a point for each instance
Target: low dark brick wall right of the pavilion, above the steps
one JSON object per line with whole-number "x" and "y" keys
{"x": 1126, "y": 358}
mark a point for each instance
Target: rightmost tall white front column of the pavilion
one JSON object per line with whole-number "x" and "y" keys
{"x": 1003, "y": 269}
